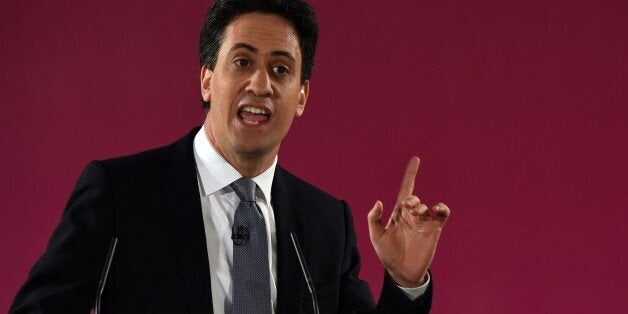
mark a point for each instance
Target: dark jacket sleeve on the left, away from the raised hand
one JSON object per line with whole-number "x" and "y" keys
{"x": 65, "y": 278}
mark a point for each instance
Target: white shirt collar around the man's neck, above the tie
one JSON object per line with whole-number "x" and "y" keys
{"x": 216, "y": 173}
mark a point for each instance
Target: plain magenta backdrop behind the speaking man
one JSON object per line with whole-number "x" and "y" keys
{"x": 517, "y": 109}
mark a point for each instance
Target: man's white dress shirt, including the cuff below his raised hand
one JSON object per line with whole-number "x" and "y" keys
{"x": 218, "y": 203}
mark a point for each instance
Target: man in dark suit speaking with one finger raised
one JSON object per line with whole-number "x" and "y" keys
{"x": 176, "y": 210}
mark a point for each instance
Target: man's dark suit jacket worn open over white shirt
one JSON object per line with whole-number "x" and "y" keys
{"x": 150, "y": 201}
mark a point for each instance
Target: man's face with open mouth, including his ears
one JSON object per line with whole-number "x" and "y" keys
{"x": 255, "y": 89}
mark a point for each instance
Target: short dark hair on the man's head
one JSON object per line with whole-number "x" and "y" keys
{"x": 297, "y": 12}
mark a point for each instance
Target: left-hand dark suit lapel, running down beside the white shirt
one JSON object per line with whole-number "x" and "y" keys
{"x": 183, "y": 208}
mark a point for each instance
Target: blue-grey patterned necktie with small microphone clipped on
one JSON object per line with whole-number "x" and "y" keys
{"x": 250, "y": 272}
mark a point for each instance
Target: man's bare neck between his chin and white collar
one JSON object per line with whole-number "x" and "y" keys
{"x": 248, "y": 165}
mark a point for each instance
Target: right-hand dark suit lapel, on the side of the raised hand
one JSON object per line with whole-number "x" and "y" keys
{"x": 290, "y": 282}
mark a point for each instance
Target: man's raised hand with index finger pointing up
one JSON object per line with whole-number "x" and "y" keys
{"x": 407, "y": 244}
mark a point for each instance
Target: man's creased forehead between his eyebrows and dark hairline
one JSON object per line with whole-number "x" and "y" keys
{"x": 265, "y": 32}
